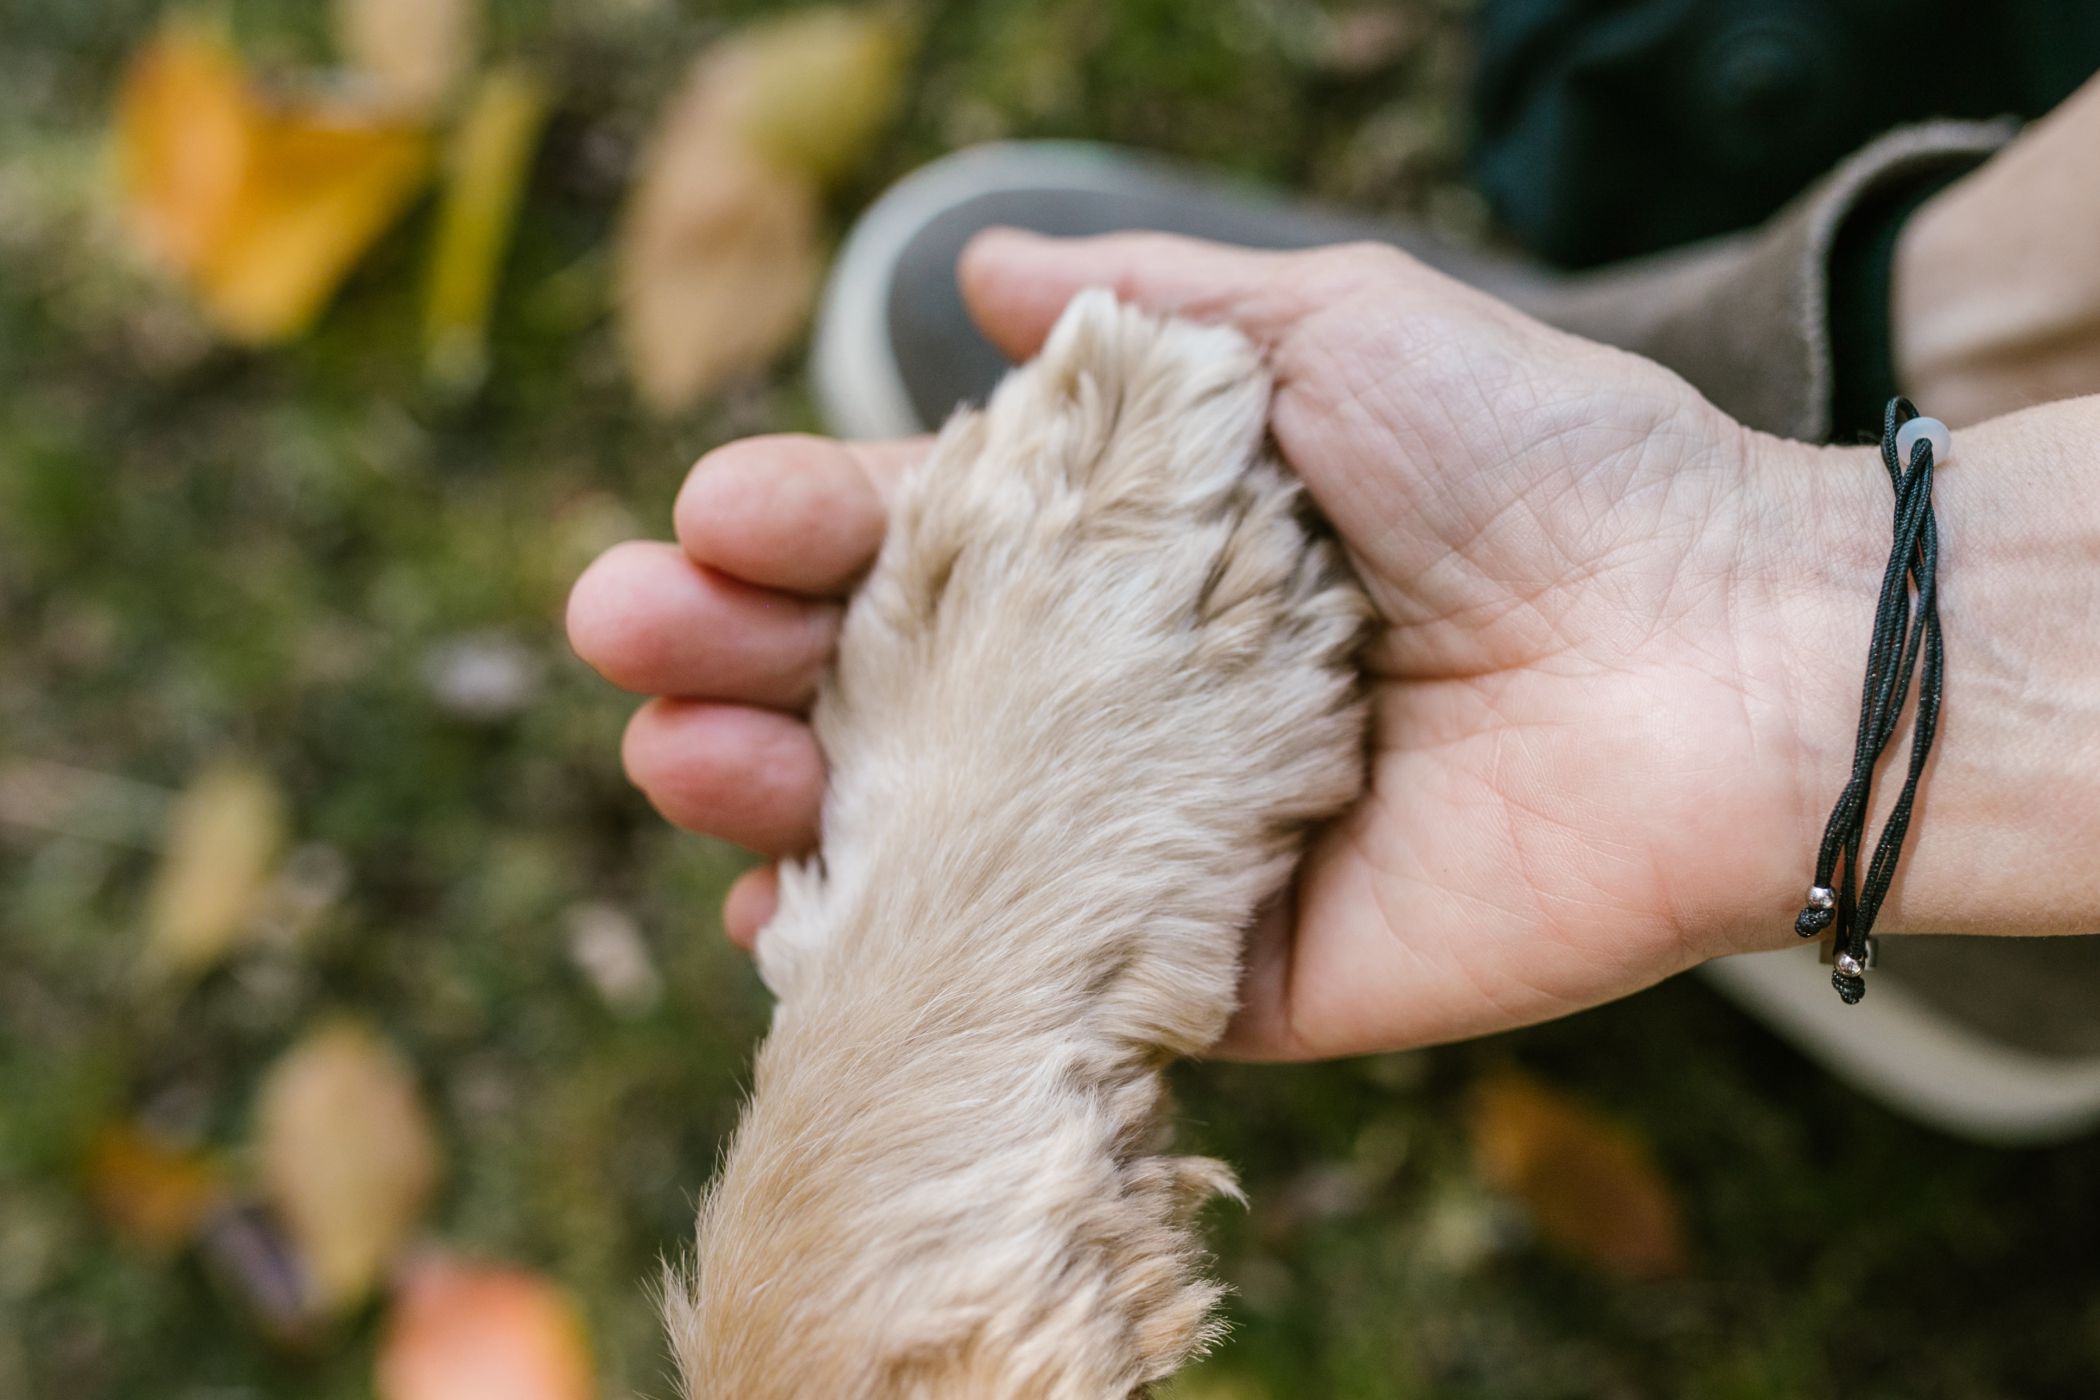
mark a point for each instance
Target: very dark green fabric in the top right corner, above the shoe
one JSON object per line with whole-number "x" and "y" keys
{"x": 1608, "y": 129}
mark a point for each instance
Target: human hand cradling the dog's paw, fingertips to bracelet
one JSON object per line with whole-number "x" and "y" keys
{"x": 1597, "y": 662}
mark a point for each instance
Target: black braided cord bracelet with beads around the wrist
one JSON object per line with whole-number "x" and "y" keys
{"x": 1906, "y": 641}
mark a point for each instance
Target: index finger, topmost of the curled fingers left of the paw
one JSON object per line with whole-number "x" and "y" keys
{"x": 793, "y": 511}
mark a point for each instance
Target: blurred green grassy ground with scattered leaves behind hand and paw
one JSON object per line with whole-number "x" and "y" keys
{"x": 427, "y": 960}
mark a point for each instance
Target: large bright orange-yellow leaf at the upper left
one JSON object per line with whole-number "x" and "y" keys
{"x": 261, "y": 205}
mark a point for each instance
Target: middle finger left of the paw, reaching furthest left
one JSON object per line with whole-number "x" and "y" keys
{"x": 654, "y": 622}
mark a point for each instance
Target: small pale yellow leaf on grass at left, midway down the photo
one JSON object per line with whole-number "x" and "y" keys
{"x": 222, "y": 843}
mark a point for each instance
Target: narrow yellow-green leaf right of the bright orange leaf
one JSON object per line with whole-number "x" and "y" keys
{"x": 484, "y": 184}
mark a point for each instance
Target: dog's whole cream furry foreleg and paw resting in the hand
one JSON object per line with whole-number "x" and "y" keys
{"x": 1087, "y": 704}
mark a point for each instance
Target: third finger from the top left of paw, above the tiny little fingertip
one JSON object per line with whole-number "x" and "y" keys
{"x": 747, "y": 776}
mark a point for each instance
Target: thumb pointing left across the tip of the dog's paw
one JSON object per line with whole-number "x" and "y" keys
{"x": 1017, "y": 284}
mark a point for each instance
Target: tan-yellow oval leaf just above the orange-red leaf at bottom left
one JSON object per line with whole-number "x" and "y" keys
{"x": 345, "y": 1155}
